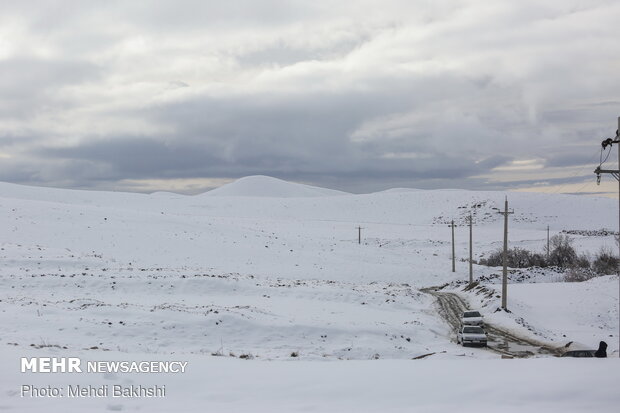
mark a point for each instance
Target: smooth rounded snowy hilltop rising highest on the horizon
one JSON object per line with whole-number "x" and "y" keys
{"x": 265, "y": 186}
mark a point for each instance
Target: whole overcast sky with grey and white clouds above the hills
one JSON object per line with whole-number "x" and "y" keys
{"x": 358, "y": 96}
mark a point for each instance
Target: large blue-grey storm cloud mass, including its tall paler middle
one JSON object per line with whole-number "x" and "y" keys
{"x": 304, "y": 137}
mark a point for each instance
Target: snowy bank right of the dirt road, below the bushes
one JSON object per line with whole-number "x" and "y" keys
{"x": 582, "y": 313}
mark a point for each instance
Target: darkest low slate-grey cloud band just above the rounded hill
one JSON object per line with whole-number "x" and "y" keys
{"x": 145, "y": 158}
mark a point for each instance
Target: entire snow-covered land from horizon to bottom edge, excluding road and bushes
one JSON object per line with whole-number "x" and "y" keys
{"x": 272, "y": 272}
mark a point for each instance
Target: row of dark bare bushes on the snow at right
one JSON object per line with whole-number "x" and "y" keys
{"x": 562, "y": 254}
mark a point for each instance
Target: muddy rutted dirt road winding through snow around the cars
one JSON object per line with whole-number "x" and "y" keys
{"x": 451, "y": 306}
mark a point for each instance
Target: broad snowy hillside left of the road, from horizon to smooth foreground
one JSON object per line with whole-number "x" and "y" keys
{"x": 221, "y": 266}
